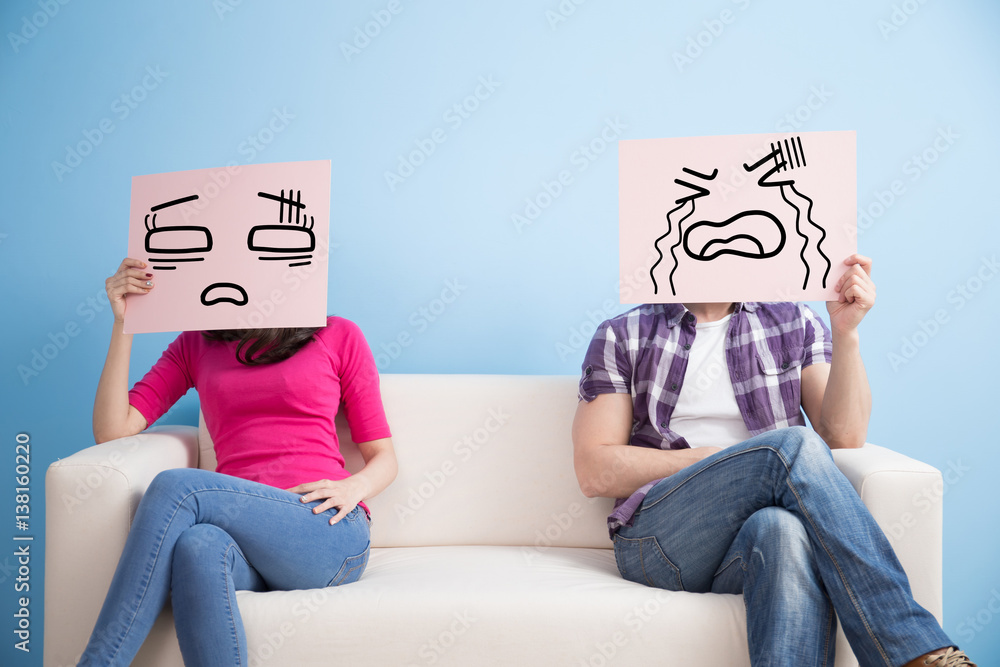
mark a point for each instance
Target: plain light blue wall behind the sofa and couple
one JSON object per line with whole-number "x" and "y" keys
{"x": 528, "y": 295}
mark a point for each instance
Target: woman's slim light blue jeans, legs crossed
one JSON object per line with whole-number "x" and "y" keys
{"x": 199, "y": 537}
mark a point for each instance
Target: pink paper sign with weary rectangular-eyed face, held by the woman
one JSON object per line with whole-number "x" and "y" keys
{"x": 231, "y": 248}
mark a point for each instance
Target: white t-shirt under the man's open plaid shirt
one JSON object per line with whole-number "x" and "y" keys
{"x": 706, "y": 413}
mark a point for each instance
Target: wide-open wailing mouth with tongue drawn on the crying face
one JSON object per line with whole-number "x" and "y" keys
{"x": 752, "y": 234}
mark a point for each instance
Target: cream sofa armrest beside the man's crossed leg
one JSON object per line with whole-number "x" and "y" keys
{"x": 905, "y": 497}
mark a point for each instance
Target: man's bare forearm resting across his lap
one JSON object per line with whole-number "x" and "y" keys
{"x": 616, "y": 471}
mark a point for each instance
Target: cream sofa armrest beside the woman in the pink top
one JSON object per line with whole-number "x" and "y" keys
{"x": 90, "y": 500}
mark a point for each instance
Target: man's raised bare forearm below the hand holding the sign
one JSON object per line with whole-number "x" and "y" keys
{"x": 847, "y": 403}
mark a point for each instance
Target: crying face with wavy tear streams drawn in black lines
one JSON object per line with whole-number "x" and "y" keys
{"x": 772, "y": 217}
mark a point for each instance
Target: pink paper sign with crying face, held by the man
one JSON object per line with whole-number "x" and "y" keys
{"x": 753, "y": 217}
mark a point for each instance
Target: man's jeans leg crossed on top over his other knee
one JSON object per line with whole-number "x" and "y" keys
{"x": 688, "y": 522}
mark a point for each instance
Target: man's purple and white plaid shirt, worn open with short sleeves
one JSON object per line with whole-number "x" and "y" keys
{"x": 644, "y": 352}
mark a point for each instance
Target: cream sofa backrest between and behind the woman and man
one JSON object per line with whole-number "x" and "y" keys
{"x": 483, "y": 460}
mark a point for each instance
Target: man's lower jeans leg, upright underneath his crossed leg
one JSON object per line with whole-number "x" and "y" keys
{"x": 790, "y": 619}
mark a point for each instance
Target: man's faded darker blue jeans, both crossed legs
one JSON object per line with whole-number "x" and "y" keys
{"x": 773, "y": 518}
